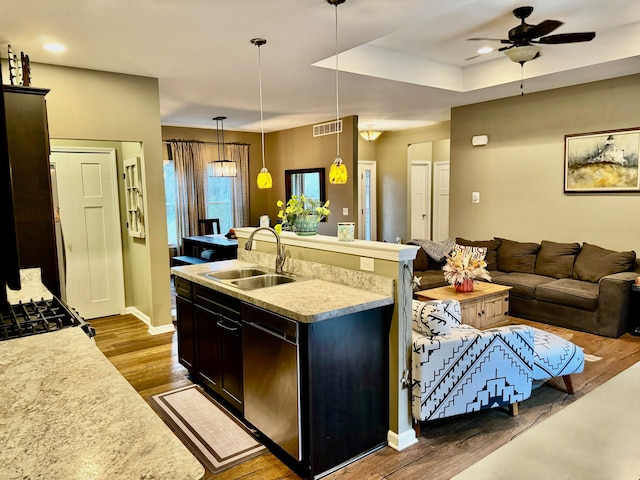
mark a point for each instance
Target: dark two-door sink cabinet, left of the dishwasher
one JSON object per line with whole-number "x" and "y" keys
{"x": 218, "y": 344}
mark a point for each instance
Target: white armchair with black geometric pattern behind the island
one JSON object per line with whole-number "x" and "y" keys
{"x": 458, "y": 369}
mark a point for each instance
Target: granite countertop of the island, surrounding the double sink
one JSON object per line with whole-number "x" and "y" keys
{"x": 306, "y": 300}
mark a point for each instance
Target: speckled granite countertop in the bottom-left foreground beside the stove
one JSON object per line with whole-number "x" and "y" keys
{"x": 66, "y": 413}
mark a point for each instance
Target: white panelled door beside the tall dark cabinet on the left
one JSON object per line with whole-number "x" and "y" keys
{"x": 90, "y": 219}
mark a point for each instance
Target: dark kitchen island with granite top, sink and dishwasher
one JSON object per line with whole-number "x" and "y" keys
{"x": 305, "y": 362}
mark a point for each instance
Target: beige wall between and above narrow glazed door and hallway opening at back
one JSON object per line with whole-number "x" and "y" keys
{"x": 390, "y": 154}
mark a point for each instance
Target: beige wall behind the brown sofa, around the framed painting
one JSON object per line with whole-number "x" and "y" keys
{"x": 519, "y": 174}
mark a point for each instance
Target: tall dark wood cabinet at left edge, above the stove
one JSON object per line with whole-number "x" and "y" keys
{"x": 28, "y": 138}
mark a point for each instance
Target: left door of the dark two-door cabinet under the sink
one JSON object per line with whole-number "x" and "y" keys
{"x": 208, "y": 347}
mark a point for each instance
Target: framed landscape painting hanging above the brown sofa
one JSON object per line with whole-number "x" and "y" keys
{"x": 600, "y": 162}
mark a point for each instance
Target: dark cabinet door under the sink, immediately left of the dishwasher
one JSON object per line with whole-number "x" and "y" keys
{"x": 231, "y": 362}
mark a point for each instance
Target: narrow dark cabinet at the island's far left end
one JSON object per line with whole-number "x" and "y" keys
{"x": 185, "y": 323}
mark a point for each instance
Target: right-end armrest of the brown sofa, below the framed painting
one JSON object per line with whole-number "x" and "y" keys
{"x": 614, "y": 303}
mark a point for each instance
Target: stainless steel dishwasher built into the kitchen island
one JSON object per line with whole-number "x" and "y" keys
{"x": 271, "y": 377}
